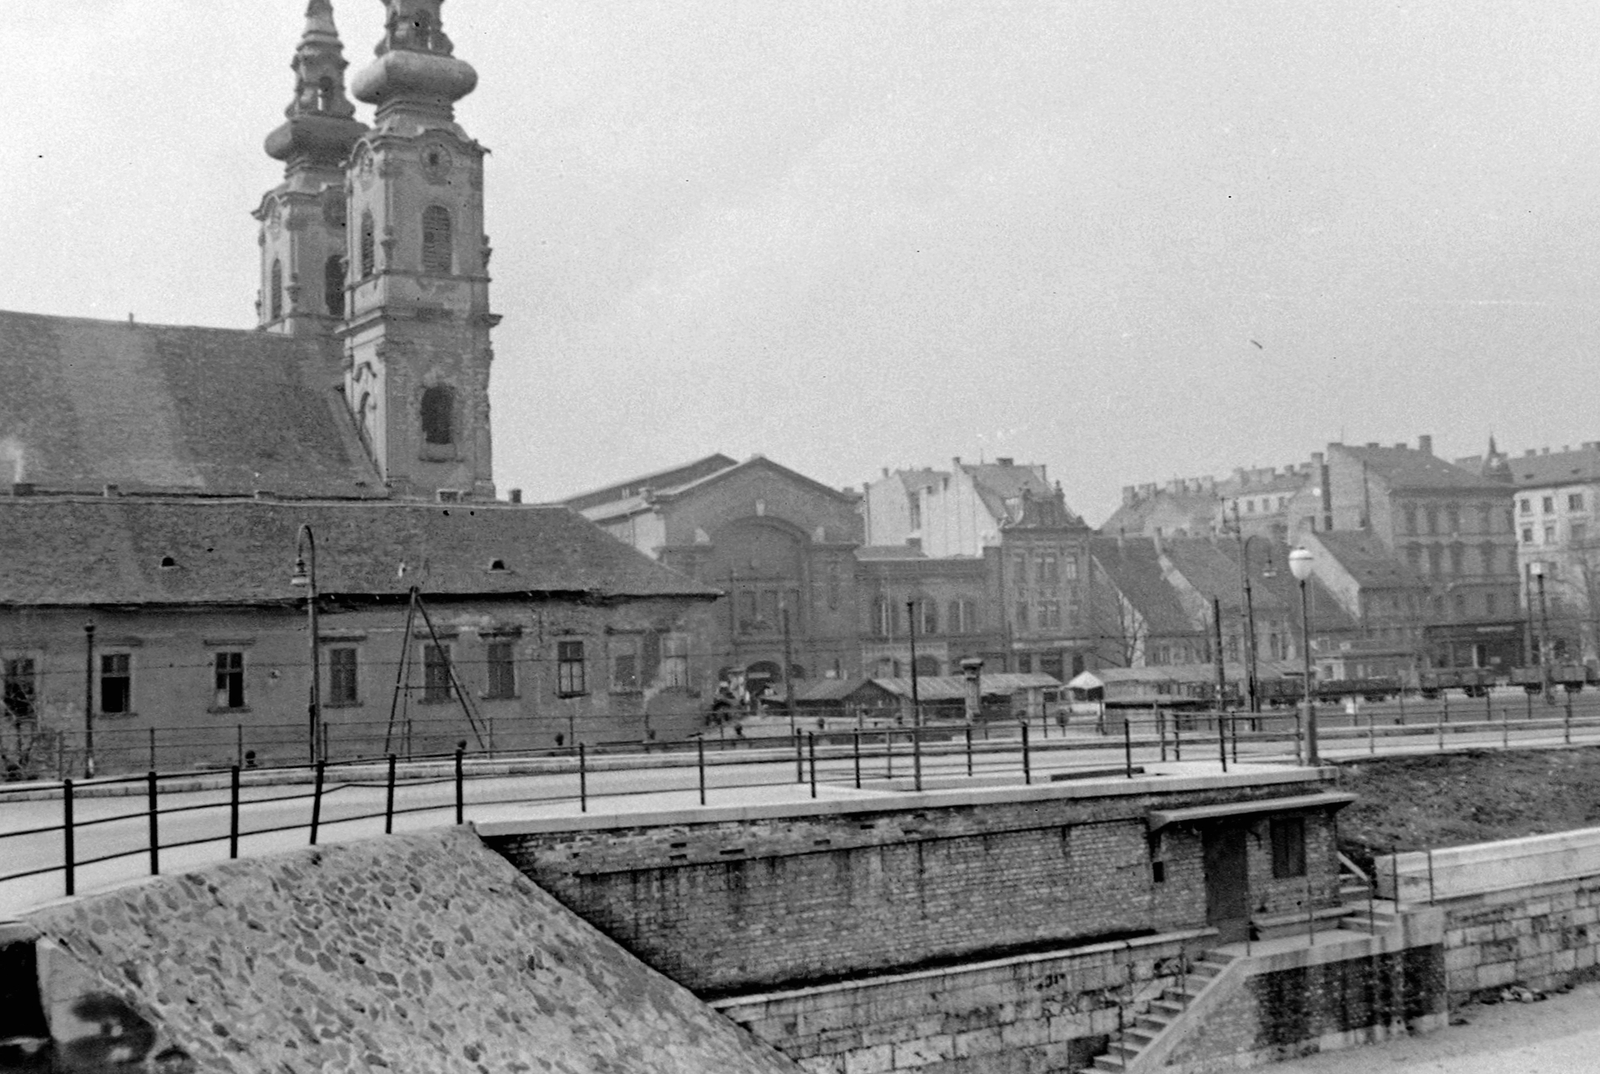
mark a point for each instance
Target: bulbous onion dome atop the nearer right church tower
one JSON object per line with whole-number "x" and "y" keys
{"x": 415, "y": 73}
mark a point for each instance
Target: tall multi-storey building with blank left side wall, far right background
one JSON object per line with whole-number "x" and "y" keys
{"x": 1447, "y": 524}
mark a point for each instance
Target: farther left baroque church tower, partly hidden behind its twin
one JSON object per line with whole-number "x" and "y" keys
{"x": 303, "y": 220}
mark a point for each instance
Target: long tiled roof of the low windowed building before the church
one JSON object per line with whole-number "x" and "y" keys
{"x": 81, "y": 551}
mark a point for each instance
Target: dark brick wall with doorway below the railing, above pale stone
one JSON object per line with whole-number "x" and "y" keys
{"x": 738, "y": 905}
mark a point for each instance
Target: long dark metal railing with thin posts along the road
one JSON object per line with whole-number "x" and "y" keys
{"x": 148, "y": 814}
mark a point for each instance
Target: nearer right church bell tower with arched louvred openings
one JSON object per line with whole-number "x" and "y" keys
{"x": 418, "y": 323}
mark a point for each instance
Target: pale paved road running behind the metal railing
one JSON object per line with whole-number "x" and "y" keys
{"x": 353, "y": 808}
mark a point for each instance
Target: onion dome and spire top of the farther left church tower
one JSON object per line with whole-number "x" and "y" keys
{"x": 321, "y": 124}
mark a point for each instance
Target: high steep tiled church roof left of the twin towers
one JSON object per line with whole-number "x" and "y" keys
{"x": 166, "y": 409}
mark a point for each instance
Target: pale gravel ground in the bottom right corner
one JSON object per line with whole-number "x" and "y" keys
{"x": 1556, "y": 1036}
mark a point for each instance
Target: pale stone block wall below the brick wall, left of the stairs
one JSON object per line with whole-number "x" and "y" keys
{"x": 1046, "y": 1012}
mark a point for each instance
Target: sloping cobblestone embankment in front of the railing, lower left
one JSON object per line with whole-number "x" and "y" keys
{"x": 414, "y": 953}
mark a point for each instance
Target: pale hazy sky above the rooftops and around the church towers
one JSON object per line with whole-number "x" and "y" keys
{"x": 1127, "y": 239}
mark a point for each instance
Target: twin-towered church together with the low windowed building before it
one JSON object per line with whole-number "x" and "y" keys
{"x": 278, "y": 545}
